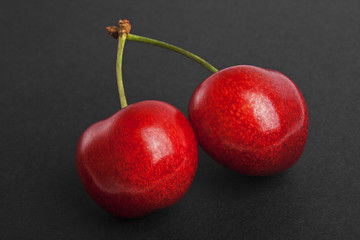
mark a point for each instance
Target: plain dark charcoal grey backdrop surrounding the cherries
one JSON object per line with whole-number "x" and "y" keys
{"x": 58, "y": 77}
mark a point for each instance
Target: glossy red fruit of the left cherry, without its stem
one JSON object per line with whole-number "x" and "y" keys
{"x": 141, "y": 159}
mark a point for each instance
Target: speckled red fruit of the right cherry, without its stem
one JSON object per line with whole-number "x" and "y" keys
{"x": 250, "y": 119}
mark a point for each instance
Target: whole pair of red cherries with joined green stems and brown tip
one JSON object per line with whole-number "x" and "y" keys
{"x": 144, "y": 157}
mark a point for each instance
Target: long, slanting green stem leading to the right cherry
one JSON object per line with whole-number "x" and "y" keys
{"x": 190, "y": 55}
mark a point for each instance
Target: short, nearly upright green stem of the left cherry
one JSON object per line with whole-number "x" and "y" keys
{"x": 121, "y": 45}
